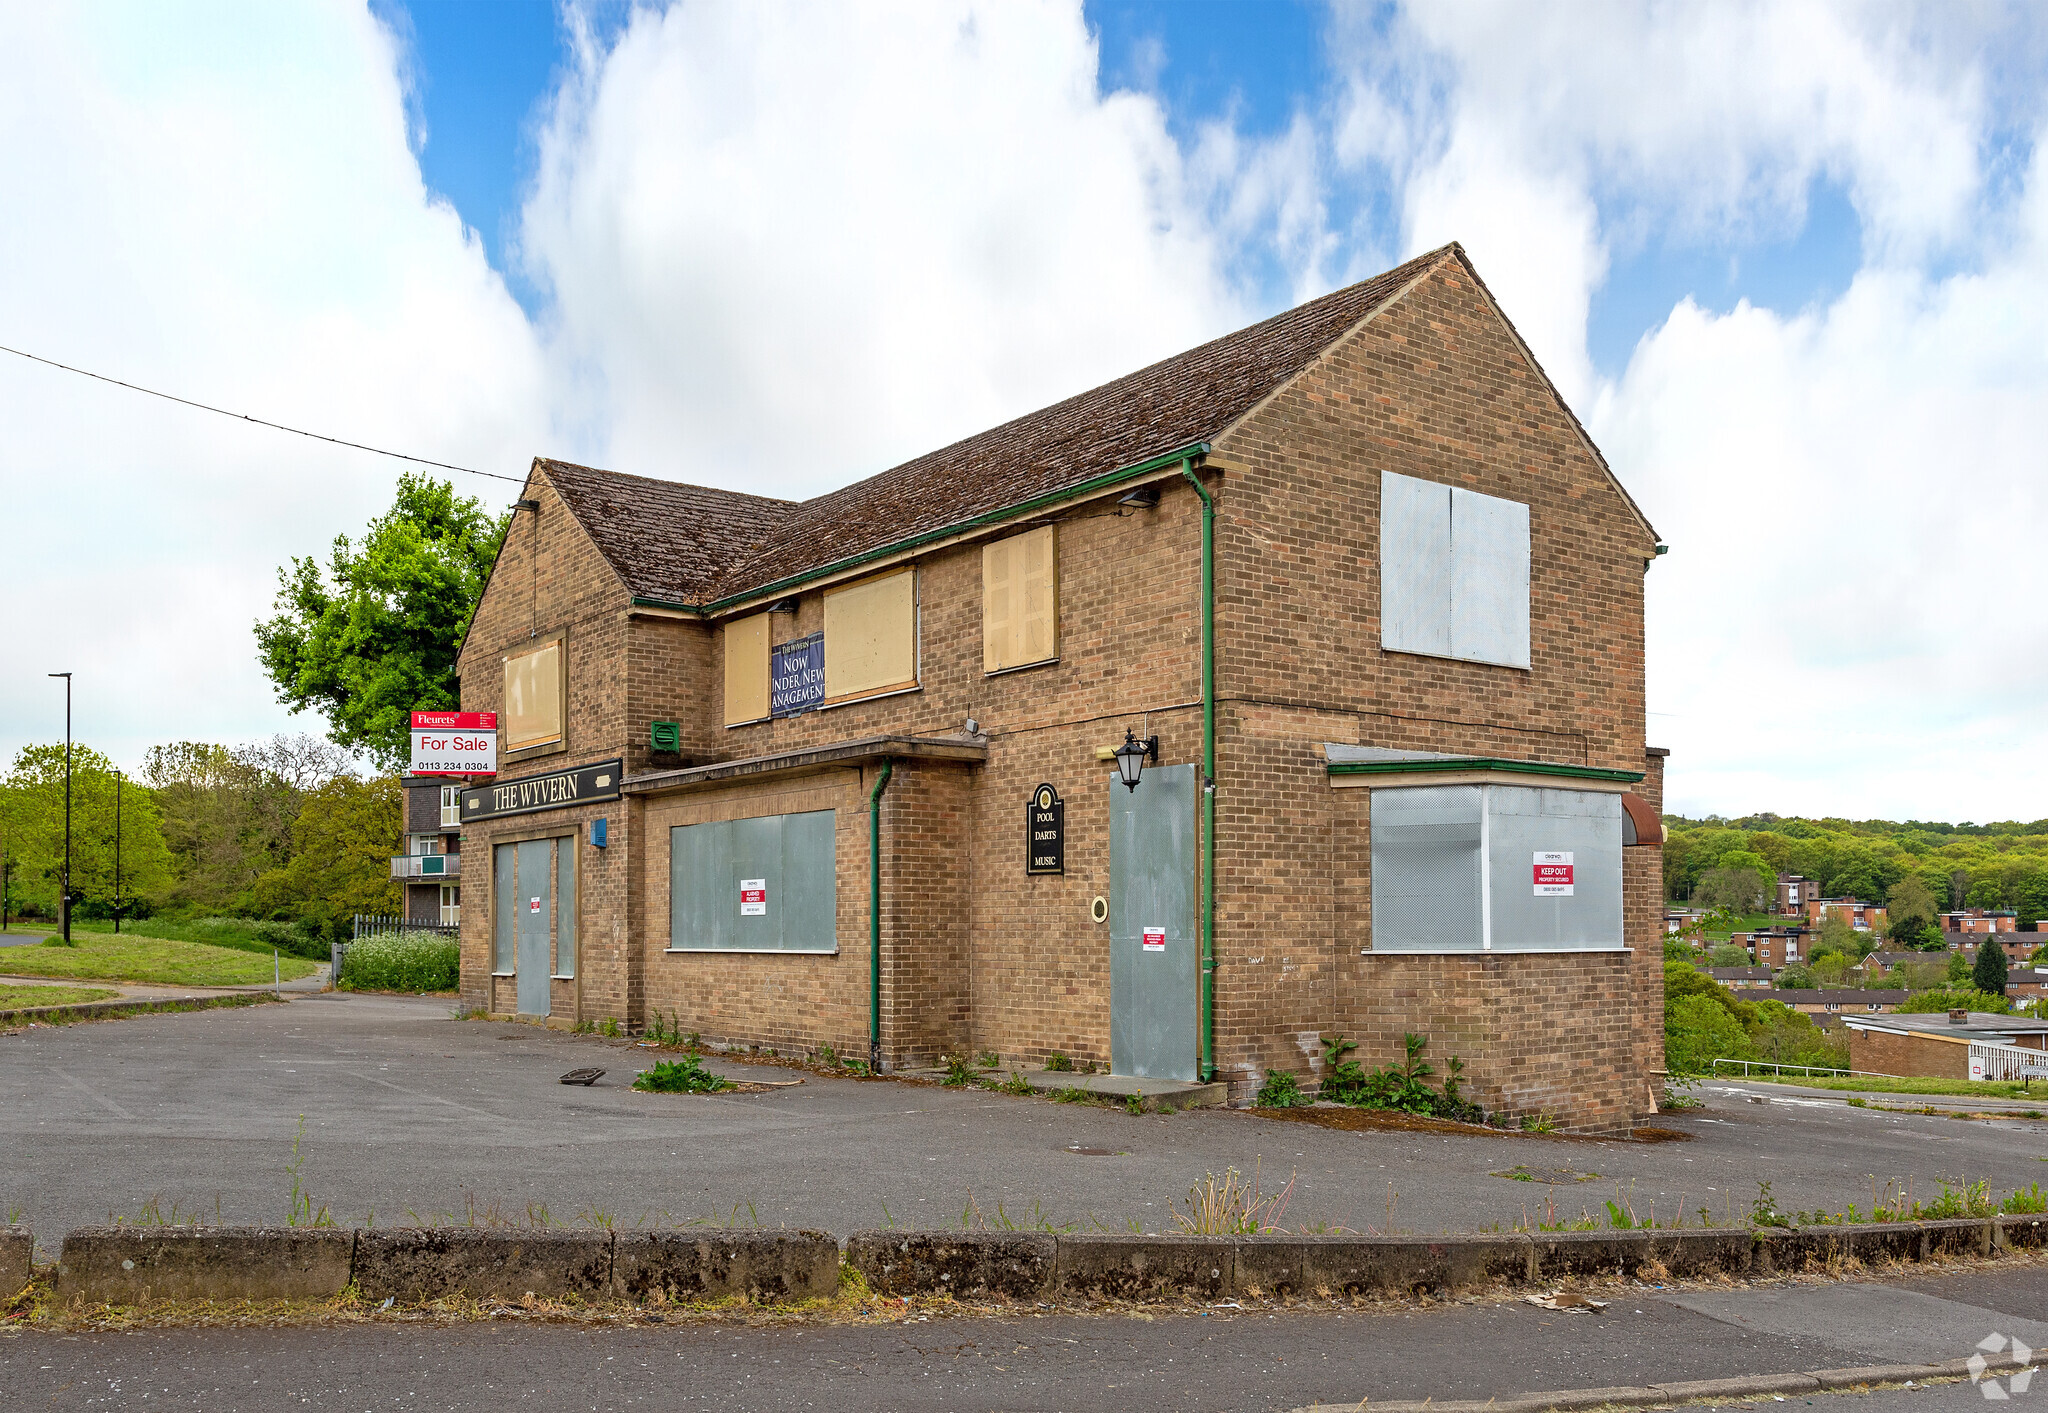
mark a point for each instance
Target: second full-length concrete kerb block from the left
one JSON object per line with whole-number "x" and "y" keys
{"x": 433, "y": 1262}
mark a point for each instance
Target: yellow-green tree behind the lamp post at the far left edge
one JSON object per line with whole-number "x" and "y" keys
{"x": 32, "y": 826}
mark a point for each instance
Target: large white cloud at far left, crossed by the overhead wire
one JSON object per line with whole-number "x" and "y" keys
{"x": 220, "y": 204}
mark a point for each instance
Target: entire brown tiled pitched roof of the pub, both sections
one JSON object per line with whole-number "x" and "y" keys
{"x": 691, "y": 546}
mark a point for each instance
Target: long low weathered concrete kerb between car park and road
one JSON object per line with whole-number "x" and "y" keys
{"x": 132, "y": 1265}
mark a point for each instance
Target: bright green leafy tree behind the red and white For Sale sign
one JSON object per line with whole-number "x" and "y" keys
{"x": 376, "y": 638}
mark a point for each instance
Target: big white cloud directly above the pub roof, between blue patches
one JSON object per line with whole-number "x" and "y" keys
{"x": 794, "y": 247}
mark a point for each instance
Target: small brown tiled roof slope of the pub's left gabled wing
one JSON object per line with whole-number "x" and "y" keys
{"x": 667, "y": 540}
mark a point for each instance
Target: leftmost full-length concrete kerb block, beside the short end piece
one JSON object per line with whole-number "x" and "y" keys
{"x": 134, "y": 1265}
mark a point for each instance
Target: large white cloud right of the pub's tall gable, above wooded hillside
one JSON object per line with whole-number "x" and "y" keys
{"x": 1844, "y": 486}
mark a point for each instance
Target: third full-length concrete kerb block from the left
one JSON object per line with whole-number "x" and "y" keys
{"x": 722, "y": 1265}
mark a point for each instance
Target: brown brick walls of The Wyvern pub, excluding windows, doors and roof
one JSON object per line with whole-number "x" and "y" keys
{"x": 978, "y": 955}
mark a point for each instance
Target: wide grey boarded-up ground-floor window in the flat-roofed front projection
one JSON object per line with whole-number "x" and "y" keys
{"x": 755, "y": 886}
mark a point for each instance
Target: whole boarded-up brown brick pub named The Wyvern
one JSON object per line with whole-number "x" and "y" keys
{"x": 1353, "y": 589}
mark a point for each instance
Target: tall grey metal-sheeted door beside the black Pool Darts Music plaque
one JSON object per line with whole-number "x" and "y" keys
{"x": 1154, "y": 949}
